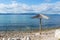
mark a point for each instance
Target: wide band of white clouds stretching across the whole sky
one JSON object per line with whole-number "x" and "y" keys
{"x": 15, "y": 7}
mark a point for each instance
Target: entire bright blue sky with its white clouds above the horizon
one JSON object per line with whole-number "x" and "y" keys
{"x": 30, "y": 6}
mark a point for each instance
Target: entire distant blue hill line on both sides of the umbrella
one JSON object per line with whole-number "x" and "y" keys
{"x": 27, "y": 14}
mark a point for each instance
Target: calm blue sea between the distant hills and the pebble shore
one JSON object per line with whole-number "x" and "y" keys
{"x": 25, "y": 21}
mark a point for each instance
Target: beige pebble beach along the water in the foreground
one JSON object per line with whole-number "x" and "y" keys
{"x": 44, "y": 35}
